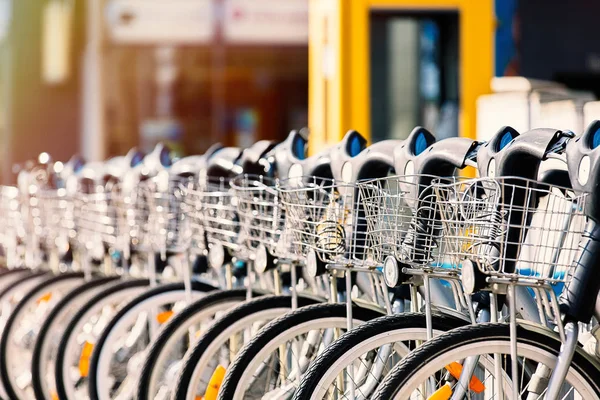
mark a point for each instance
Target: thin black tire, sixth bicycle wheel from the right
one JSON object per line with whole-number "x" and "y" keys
{"x": 197, "y": 286}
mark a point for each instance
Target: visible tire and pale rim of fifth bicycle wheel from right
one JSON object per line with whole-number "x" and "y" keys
{"x": 163, "y": 359}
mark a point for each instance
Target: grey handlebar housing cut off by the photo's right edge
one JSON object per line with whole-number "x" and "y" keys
{"x": 583, "y": 155}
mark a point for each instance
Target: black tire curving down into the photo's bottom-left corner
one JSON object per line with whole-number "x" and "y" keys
{"x": 7, "y": 331}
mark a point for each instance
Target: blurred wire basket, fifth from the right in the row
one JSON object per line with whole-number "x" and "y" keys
{"x": 213, "y": 212}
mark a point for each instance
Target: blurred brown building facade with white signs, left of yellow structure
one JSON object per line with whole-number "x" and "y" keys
{"x": 190, "y": 73}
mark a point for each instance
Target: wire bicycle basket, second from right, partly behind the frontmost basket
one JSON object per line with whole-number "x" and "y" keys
{"x": 403, "y": 220}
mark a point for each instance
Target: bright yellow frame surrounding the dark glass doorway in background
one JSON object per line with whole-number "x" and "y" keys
{"x": 339, "y": 76}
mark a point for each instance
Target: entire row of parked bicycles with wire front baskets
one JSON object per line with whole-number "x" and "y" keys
{"x": 361, "y": 272}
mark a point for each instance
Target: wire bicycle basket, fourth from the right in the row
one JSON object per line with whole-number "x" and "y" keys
{"x": 260, "y": 212}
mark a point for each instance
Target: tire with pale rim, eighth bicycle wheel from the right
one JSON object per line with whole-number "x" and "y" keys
{"x": 48, "y": 338}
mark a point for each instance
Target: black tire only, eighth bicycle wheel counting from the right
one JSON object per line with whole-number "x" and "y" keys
{"x": 46, "y": 331}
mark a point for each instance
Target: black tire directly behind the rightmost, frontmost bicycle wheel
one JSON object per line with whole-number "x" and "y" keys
{"x": 354, "y": 338}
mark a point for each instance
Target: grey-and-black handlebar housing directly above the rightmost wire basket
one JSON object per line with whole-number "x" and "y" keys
{"x": 521, "y": 156}
